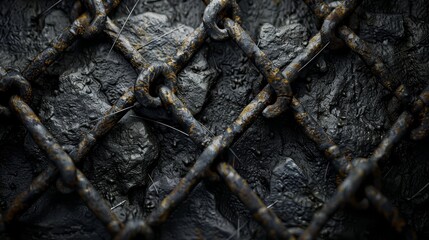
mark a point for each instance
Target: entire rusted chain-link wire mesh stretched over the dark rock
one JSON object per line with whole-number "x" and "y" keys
{"x": 89, "y": 24}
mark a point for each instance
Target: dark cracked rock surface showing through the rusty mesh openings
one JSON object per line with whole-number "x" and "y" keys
{"x": 279, "y": 162}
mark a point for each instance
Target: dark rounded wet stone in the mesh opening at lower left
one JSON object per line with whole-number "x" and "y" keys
{"x": 122, "y": 161}
